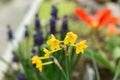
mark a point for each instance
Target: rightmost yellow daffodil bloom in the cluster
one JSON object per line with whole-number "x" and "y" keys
{"x": 81, "y": 46}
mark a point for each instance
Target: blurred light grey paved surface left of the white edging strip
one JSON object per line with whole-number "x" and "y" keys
{"x": 11, "y": 13}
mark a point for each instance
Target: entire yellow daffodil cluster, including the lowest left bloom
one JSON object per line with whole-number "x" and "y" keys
{"x": 55, "y": 46}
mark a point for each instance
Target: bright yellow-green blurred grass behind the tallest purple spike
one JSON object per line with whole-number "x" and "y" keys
{"x": 64, "y": 8}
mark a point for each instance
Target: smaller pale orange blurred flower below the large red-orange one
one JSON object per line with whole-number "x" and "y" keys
{"x": 112, "y": 30}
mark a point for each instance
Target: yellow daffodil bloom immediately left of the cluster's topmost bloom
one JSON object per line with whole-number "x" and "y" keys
{"x": 54, "y": 43}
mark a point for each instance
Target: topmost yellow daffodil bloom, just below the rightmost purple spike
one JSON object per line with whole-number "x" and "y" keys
{"x": 70, "y": 38}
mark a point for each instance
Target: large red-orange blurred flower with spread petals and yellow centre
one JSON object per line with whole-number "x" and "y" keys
{"x": 100, "y": 19}
